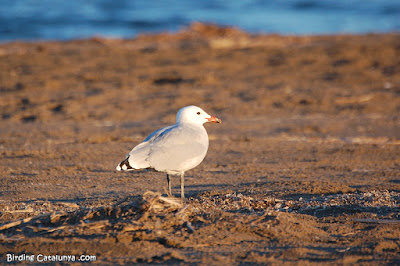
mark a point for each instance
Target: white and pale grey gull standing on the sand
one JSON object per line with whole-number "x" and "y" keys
{"x": 174, "y": 149}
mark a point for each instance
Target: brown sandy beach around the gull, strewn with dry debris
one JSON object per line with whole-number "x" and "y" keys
{"x": 304, "y": 169}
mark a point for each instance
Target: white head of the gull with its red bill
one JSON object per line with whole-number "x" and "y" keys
{"x": 195, "y": 115}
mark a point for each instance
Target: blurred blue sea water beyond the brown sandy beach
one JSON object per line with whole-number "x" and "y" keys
{"x": 71, "y": 19}
